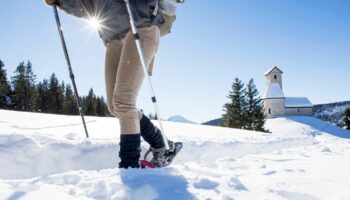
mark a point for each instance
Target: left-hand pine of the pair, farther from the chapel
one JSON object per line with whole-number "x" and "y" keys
{"x": 234, "y": 110}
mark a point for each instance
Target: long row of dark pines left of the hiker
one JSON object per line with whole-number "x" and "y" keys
{"x": 23, "y": 93}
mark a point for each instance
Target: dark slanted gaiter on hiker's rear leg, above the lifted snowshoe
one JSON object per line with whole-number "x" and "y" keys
{"x": 151, "y": 133}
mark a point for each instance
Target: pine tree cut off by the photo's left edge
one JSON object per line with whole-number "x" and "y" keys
{"x": 5, "y": 88}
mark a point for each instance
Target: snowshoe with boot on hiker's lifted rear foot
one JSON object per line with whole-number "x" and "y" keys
{"x": 161, "y": 157}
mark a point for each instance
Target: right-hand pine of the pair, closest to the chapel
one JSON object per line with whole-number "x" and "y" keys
{"x": 254, "y": 111}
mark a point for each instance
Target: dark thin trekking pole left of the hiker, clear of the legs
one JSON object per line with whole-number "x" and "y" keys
{"x": 59, "y": 26}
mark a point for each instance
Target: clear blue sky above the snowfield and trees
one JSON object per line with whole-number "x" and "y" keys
{"x": 212, "y": 43}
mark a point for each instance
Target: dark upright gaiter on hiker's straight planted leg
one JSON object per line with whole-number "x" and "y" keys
{"x": 129, "y": 151}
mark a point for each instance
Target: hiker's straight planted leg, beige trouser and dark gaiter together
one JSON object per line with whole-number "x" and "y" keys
{"x": 128, "y": 83}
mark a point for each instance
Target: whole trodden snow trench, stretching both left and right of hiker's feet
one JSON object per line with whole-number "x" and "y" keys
{"x": 32, "y": 156}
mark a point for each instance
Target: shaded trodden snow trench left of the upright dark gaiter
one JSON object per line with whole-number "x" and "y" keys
{"x": 28, "y": 157}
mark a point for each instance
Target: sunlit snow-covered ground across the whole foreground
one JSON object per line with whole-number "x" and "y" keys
{"x": 46, "y": 157}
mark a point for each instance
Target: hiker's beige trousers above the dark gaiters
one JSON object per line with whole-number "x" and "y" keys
{"x": 124, "y": 76}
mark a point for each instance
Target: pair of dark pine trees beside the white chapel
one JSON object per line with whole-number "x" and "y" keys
{"x": 245, "y": 109}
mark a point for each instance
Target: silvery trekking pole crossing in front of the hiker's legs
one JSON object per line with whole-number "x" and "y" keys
{"x": 144, "y": 67}
